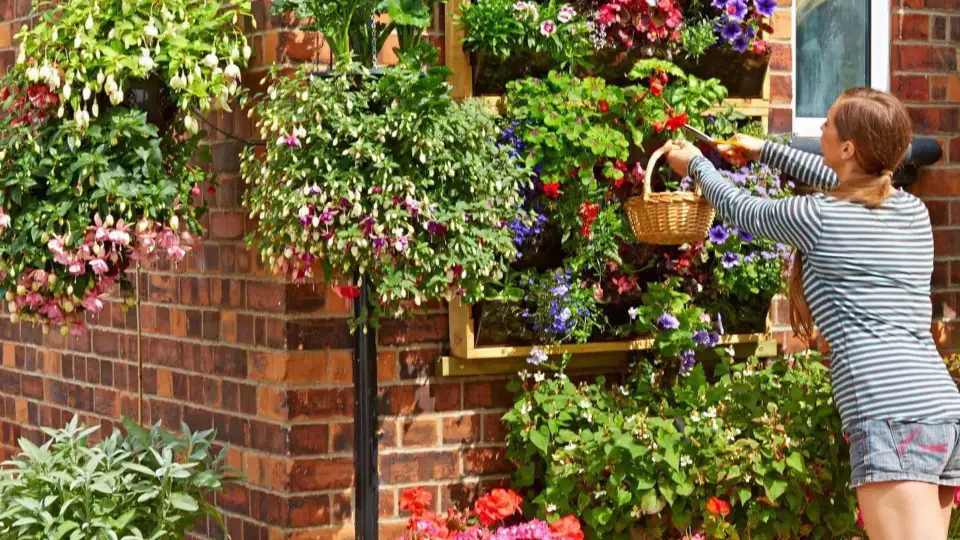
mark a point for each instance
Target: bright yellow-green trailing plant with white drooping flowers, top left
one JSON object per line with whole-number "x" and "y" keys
{"x": 87, "y": 51}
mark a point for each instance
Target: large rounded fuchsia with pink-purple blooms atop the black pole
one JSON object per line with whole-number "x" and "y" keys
{"x": 389, "y": 179}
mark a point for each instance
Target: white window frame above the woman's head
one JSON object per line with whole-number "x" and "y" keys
{"x": 806, "y": 126}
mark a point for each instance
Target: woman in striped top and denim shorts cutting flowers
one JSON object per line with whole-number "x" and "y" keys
{"x": 862, "y": 276}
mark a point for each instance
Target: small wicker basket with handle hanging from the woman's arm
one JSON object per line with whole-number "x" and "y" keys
{"x": 668, "y": 218}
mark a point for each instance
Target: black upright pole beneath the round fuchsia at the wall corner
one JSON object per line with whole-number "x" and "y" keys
{"x": 366, "y": 475}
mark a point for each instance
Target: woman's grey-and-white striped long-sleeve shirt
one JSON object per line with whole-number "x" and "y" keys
{"x": 866, "y": 276}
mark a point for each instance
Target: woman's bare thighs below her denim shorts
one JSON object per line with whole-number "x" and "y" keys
{"x": 902, "y": 511}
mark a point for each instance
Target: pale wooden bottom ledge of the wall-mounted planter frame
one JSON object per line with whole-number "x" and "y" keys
{"x": 468, "y": 359}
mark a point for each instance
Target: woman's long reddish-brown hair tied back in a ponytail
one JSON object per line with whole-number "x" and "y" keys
{"x": 879, "y": 127}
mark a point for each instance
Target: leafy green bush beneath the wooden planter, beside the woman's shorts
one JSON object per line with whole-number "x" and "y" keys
{"x": 650, "y": 455}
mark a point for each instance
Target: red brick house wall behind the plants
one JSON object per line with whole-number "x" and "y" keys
{"x": 269, "y": 365}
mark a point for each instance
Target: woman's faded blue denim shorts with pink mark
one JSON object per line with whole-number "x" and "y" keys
{"x": 886, "y": 450}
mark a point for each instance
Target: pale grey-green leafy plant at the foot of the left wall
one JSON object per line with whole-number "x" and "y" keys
{"x": 147, "y": 484}
